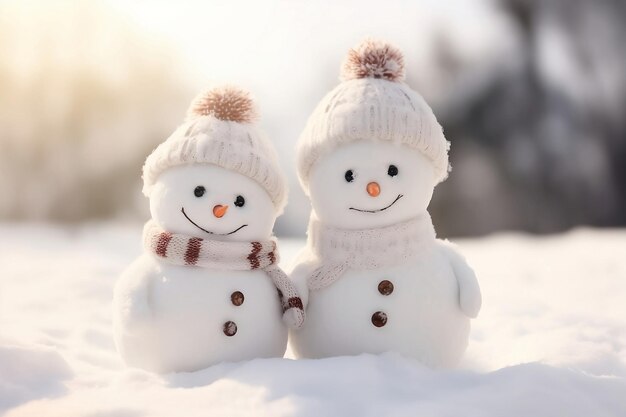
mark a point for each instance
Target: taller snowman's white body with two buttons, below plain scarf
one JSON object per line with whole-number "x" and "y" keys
{"x": 419, "y": 300}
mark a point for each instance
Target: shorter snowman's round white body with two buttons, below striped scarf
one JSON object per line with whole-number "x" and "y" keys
{"x": 185, "y": 318}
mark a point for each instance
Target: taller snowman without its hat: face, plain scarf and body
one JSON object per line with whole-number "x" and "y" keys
{"x": 412, "y": 298}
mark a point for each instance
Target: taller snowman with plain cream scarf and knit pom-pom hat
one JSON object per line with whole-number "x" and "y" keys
{"x": 373, "y": 276}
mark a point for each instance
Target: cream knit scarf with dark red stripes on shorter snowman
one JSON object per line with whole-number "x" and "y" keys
{"x": 179, "y": 249}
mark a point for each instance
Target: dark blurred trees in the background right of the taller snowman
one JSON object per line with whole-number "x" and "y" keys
{"x": 542, "y": 145}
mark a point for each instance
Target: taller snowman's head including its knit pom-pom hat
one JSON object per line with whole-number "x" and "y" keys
{"x": 372, "y": 151}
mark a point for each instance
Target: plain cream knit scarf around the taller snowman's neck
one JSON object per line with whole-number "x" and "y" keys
{"x": 337, "y": 250}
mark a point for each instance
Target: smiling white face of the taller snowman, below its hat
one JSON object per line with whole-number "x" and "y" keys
{"x": 366, "y": 185}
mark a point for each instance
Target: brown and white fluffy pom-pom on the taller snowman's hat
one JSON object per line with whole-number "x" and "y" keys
{"x": 374, "y": 59}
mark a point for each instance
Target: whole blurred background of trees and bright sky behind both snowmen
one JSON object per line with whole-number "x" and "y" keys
{"x": 532, "y": 95}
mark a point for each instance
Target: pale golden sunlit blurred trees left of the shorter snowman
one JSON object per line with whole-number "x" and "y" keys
{"x": 83, "y": 100}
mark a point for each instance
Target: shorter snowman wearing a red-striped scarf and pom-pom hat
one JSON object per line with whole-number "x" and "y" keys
{"x": 208, "y": 288}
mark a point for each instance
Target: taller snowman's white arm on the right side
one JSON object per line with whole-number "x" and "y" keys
{"x": 470, "y": 298}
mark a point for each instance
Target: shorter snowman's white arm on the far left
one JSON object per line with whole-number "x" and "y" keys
{"x": 131, "y": 303}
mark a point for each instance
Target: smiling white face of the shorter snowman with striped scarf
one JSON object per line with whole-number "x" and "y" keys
{"x": 212, "y": 202}
